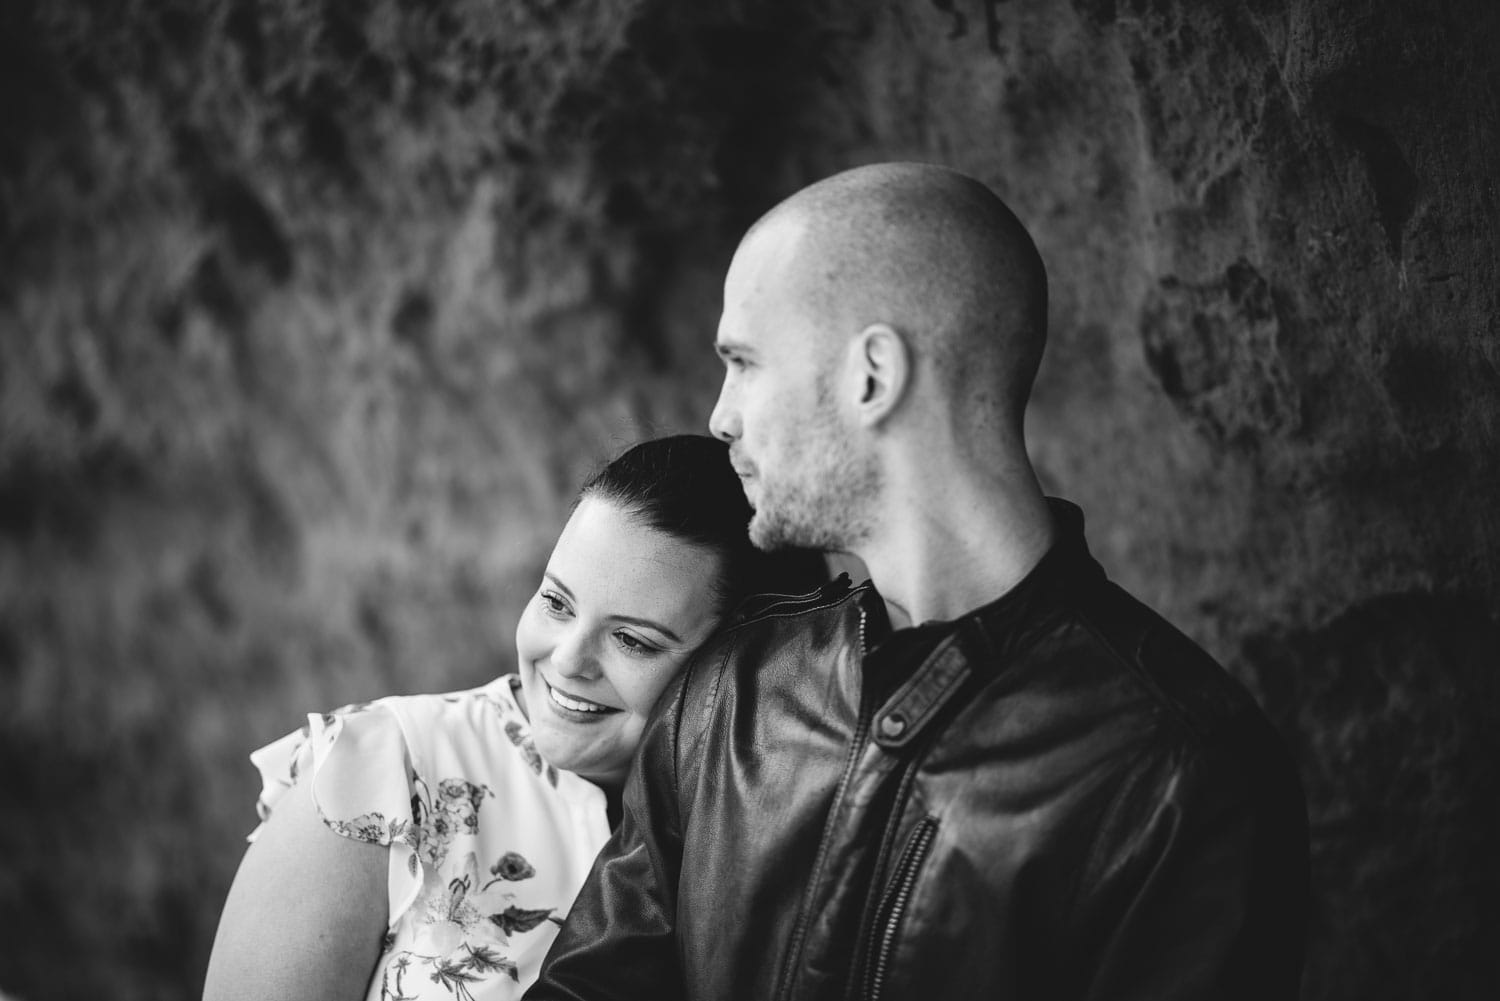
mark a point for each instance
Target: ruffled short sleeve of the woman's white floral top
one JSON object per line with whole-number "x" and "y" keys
{"x": 359, "y": 763}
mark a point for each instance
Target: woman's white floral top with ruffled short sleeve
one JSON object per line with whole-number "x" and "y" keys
{"x": 488, "y": 843}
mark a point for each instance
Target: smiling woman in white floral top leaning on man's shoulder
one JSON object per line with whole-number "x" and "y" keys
{"x": 428, "y": 847}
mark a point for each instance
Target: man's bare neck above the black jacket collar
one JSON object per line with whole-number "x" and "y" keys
{"x": 938, "y": 559}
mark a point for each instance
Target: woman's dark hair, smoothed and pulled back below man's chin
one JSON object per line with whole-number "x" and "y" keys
{"x": 685, "y": 487}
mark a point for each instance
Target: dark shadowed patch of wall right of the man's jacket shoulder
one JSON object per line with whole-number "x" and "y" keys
{"x": 1393, "y": 709}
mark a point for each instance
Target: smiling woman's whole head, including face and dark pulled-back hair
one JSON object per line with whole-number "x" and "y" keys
{"x": 656, "y": 553}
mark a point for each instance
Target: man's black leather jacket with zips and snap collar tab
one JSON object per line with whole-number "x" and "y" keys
{"x": 1066, "y": 799}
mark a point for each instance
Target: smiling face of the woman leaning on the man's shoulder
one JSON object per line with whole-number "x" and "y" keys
{"x": 619, "y": 612}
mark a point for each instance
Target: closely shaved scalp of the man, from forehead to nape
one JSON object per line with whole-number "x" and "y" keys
{"x": 934, "y": 254}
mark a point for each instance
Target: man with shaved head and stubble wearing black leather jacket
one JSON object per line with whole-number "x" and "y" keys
{"x": 989, "y": 772}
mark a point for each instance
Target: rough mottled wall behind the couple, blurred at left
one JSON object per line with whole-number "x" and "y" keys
{"x": 313, "y": 313}
